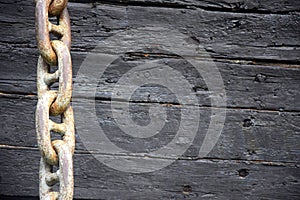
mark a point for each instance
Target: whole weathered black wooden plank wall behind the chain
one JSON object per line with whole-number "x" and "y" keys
{"x": 255, "y": 45}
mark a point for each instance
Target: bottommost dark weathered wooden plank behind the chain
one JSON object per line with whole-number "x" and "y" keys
{"x": 200, "y": 179}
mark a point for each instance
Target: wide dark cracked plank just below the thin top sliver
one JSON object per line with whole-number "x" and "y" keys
{"x": 247, "y": 36}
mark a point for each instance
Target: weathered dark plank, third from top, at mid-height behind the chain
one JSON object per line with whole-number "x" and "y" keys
{"x": 248, "y": 85}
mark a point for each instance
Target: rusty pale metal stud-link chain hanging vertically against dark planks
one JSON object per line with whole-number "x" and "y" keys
{"x": 57, "y": 153}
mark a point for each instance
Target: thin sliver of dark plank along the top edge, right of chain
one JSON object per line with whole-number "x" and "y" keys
{"x": 261, "y": 6}
